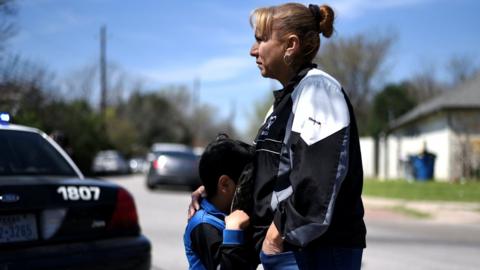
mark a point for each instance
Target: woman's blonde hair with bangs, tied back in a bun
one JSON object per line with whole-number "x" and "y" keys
{"x": 297, "y": 19}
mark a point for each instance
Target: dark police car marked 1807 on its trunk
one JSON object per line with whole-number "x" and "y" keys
{"x": 51, "y": 217}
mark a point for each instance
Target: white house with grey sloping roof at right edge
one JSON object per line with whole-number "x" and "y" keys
{"x": 447, "y": 126}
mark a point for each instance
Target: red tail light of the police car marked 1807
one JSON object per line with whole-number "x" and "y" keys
{"x": 125, "y": 214}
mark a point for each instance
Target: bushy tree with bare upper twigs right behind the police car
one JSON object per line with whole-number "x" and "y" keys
{"x": 28, "y": 92}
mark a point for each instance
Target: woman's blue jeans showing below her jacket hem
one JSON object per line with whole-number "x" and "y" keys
{"x": 320, "y": 258}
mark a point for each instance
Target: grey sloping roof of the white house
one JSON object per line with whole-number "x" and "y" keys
{"x": 466, "y": 96}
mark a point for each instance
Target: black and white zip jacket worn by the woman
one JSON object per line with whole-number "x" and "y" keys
{"x": 308, "y": 169}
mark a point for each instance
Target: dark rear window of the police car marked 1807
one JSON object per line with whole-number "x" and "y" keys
{"x": 28, "y": 153}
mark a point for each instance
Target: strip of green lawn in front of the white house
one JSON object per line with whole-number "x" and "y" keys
{"x": 427, "y": 191}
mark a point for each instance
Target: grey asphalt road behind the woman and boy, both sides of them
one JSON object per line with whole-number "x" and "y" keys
{"x": 393, "y": 242}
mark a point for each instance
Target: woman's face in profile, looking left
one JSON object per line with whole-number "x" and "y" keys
{"x": 269, "y": 54}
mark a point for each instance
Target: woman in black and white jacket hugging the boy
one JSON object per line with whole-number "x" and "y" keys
{"x": 308, "y": 177}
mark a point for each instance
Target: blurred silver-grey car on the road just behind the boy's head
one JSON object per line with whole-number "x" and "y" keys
{"x": 172, "y": 164}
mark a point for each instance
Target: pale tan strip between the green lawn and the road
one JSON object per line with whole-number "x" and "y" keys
{"x": 439, "y": 212}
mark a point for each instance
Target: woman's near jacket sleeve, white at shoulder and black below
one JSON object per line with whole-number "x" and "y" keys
{"x": 319, "y": 159}
